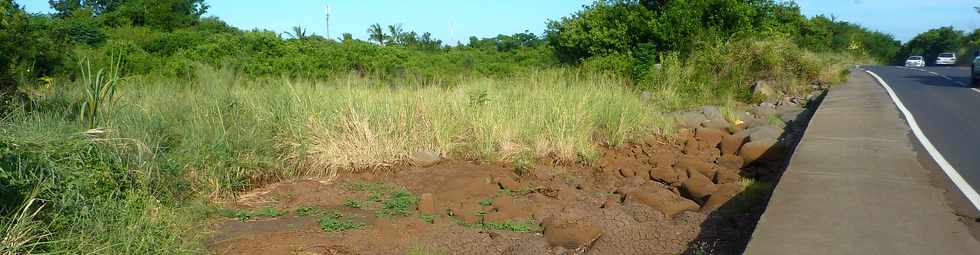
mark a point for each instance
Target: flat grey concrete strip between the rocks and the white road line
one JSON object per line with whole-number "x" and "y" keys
{"x": 855, "y": 186}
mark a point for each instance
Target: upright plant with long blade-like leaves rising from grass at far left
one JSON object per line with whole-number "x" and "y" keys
{"x": 100, "y": 89}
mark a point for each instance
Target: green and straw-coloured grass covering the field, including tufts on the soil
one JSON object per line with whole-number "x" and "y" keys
{"x": 168, "y": 149}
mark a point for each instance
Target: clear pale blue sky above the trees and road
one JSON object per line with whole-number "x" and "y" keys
{"x": 454, "y": 21}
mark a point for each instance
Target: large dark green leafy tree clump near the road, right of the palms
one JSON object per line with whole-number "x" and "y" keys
{"x": 624, "y": 33}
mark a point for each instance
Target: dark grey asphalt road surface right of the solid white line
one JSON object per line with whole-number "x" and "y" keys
{"x": 946, "y": 109}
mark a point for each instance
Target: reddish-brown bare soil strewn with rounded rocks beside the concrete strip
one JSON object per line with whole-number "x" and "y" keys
{"x": 651, "y": 197}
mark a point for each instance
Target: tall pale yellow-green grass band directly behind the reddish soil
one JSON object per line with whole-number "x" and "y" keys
{"x": 235, "y": 131}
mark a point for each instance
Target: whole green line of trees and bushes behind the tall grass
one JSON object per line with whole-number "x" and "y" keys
{"x": 168, "y": 38}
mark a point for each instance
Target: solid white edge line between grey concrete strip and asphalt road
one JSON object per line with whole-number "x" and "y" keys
{"x": 954, "y": 176}
